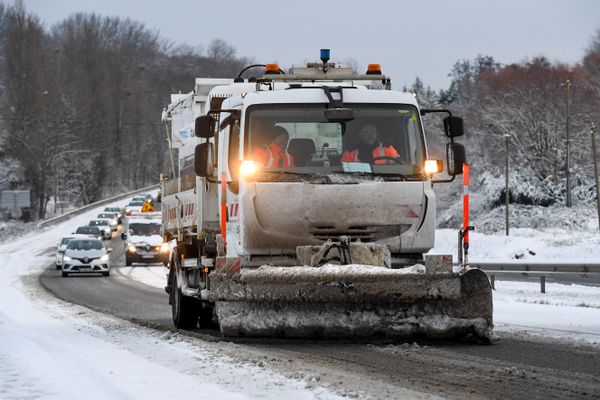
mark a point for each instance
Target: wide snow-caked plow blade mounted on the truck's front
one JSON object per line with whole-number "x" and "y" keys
{"x": 352, "y": 301}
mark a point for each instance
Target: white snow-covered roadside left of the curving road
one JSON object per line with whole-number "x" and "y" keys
{"x": 55, "y": 350}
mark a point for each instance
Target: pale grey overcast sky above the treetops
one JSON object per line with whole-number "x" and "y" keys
{"x": 408, "y": 38}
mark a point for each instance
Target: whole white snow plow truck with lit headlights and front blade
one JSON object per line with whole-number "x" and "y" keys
{"x": 300, "y": 204}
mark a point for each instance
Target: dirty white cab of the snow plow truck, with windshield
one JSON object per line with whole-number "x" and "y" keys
{"x": 323, "y": 180}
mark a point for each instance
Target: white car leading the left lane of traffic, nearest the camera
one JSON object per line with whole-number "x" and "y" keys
{"x": 85, "y": 255}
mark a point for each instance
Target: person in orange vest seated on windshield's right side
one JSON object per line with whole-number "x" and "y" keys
{"x": 368, "y": 148}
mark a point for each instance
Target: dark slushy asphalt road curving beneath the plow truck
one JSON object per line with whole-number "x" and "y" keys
{"x": 516, "y": 366}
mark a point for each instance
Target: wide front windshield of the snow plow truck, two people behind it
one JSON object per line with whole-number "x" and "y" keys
{"x": 382, "y": 138}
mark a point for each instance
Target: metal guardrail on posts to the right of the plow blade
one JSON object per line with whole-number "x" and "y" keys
{"x": 541, "y": 269}
